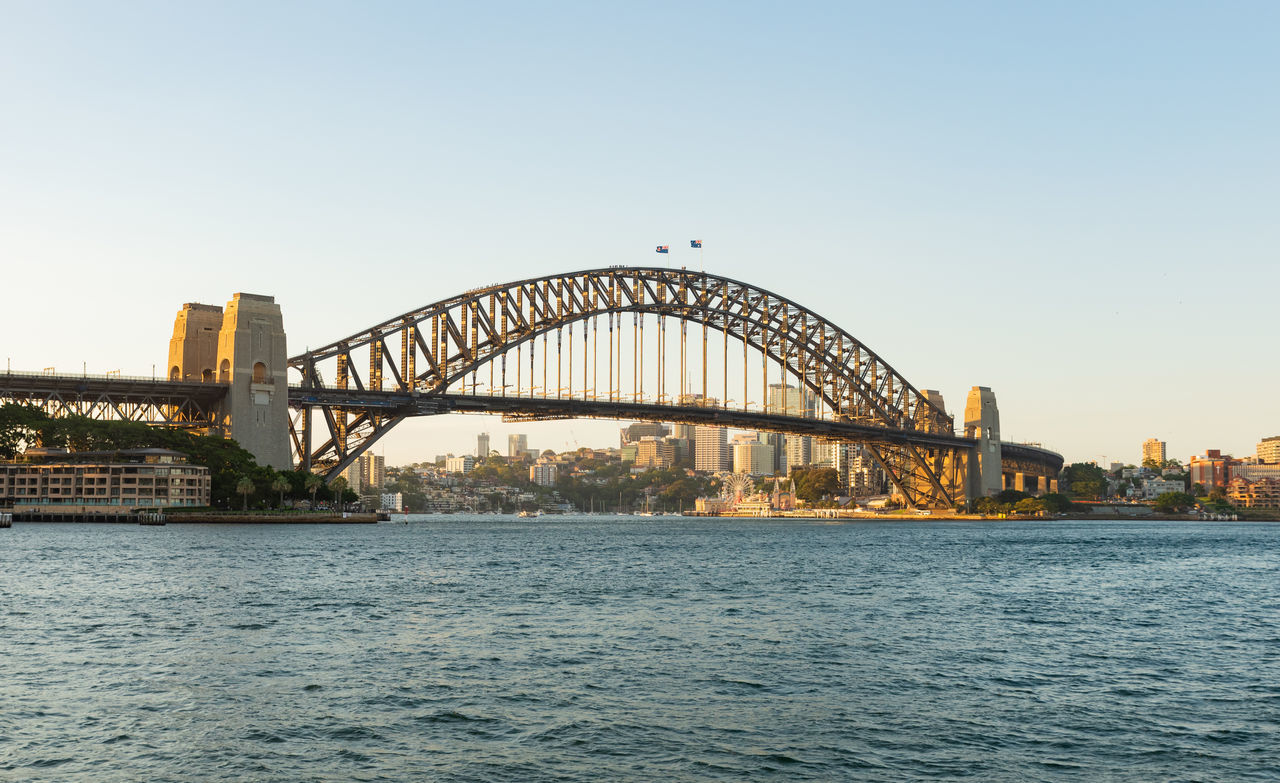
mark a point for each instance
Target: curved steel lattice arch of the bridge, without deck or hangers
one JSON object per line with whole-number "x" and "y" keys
{"x": 455, "y": 337}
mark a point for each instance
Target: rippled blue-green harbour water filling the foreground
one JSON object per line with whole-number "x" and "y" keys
{"x": 641, "y": 649}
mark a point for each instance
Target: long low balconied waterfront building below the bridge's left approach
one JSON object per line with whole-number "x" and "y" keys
{"x": 103, "y": 482}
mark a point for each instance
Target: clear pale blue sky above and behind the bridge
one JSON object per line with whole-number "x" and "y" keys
{"x": 1071, "y": 203}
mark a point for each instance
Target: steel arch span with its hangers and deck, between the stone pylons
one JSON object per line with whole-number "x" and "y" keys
{"x": 532, "y": 350}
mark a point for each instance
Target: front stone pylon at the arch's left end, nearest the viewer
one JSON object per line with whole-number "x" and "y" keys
{"x": 253, "y": 360}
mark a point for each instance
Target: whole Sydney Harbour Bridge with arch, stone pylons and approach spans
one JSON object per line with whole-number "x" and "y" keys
{"x": 624, "y": 344}
